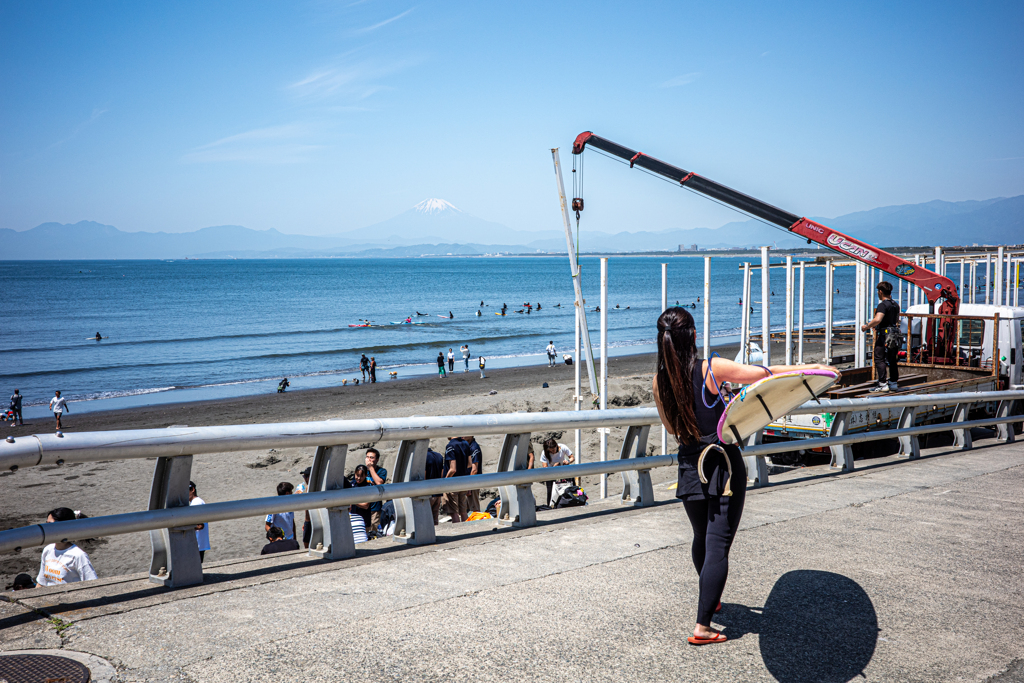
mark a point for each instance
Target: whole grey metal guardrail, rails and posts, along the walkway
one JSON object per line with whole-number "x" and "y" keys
{"x": 170, "y": 521}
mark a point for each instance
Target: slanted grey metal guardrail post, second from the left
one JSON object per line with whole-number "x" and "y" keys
{"x": 332, "y": 528}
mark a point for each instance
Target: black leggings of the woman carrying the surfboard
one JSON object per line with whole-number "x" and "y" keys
{"x": 715, "y": 523}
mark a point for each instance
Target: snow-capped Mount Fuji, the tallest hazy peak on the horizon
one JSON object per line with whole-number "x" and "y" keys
{"x": 439, "y": 222}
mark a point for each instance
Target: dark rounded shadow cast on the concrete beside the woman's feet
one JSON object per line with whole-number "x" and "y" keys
{"x": 816, "y": 626}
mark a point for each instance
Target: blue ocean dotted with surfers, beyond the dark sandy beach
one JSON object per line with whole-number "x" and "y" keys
{"x": 189, "y": 330}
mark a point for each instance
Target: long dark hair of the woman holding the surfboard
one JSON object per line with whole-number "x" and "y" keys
{"x": 677, "y": 354}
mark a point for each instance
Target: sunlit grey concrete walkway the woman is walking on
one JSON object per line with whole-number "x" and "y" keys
{"x": 902, "y": 572}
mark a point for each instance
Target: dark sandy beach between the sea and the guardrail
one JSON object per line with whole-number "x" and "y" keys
{"x": 117, "y": 487}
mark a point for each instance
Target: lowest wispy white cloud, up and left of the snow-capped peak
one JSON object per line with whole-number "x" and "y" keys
{"x": 288, "y": 144}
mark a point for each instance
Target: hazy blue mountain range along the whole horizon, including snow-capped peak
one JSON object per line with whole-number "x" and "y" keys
{"x": 437, "y": 228}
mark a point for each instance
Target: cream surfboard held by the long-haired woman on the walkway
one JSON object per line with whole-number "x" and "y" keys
{"x": 760, "y": 404}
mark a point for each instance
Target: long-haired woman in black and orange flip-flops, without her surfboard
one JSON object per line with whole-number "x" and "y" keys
{"x": 687, "y": 391}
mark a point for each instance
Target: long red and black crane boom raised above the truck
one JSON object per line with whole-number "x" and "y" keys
{"x": 935, "y": 285}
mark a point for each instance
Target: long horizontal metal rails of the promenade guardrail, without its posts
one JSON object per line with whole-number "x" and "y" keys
{"x": 94, "y": 446}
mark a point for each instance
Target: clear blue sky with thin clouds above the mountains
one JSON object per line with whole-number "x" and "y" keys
{"x": 321, "y": 117}
